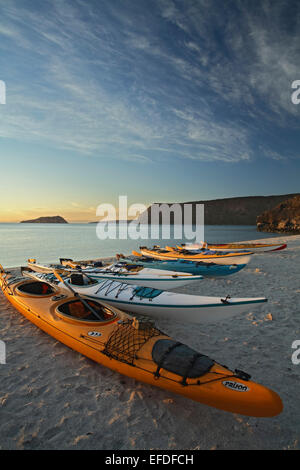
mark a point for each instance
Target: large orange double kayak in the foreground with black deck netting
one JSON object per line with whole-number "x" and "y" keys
{"x": 135, "y": 348}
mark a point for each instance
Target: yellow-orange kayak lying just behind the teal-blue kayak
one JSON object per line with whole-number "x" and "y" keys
{"x": 209, "y": 256}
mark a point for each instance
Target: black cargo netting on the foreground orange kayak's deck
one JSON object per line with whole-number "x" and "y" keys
{"x": 124, "y": 343}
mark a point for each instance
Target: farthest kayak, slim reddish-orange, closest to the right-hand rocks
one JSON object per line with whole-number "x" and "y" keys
{"x": 253, "y": 247}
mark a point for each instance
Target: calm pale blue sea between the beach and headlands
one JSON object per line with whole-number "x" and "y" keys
{"x": 49, "y": 242}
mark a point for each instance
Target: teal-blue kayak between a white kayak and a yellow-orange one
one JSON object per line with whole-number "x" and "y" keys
{"x": 183, "y": 265}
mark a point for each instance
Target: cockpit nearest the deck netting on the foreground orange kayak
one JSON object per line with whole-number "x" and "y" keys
{"x": 79, "y": 311}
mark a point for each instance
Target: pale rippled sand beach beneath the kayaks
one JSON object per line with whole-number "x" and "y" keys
{"x": 53, "y": 398}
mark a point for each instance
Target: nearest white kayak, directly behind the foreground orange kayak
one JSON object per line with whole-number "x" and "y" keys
{"x": 154, "y": 302}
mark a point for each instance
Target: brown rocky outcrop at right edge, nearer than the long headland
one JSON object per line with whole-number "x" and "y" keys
{"x": 285, "y": 217}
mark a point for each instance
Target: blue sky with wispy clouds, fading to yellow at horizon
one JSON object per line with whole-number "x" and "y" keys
{"x": 158, "y": 100}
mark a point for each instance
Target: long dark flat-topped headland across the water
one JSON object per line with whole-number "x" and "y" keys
{"x": 231, "y": 211}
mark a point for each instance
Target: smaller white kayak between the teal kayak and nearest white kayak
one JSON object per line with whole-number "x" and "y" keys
{"x": 148, "y": 277}
